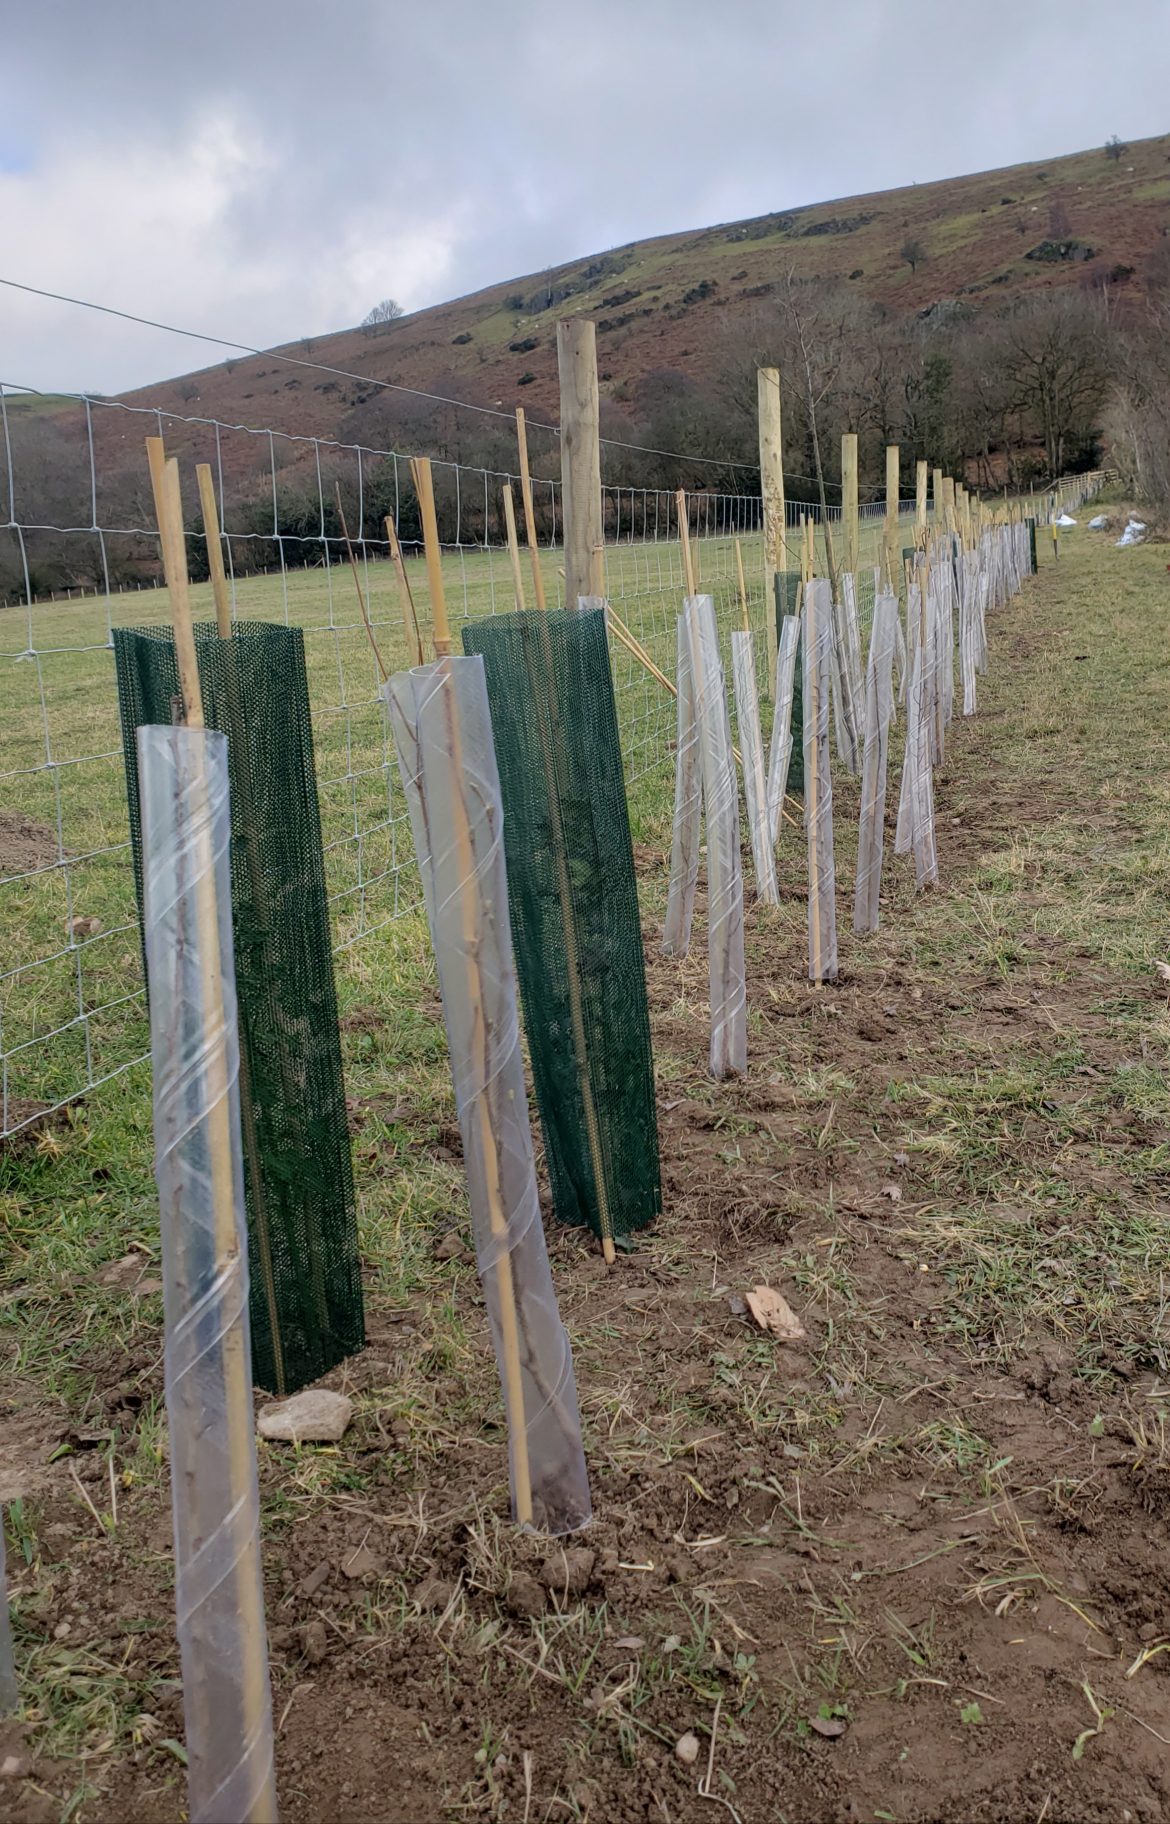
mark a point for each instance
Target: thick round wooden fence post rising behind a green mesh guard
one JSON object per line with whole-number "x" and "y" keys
{"x": 580, "y": 457}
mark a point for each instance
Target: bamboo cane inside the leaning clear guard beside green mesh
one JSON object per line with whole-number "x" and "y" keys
{"x": 510, "y": 1332}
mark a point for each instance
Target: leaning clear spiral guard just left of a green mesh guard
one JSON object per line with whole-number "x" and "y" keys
{"x": 443, "y": 734}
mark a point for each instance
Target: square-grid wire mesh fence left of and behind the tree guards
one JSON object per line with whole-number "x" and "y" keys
{"x": 76, "y": 510}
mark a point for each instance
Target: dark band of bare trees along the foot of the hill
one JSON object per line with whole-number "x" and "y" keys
{"x": 1003, "y": 395}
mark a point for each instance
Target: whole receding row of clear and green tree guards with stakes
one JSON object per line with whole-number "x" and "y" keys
{"x": 512, "y": 769}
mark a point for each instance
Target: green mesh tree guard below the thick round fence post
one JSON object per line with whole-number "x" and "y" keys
{"x": 574, "y": 911}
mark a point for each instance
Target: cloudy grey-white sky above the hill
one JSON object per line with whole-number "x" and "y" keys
{"x": 271, "y": 169}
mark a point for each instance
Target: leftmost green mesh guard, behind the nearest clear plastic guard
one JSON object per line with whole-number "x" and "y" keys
{"x": 306, "y": 1301}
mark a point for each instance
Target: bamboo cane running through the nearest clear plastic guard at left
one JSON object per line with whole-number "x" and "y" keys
{"x": 236, "y": 1367}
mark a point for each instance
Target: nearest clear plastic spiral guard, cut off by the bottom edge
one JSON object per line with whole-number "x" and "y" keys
{"x": 205, "y": 1274}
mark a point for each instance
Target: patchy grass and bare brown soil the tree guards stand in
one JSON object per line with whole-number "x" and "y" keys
{"x": 910, "y": 1570}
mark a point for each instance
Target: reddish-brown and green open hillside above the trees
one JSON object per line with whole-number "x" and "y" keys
{"x": 676, "y": 302}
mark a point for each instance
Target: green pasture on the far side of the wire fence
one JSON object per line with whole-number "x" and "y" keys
{"x": 74, "y": 1013}
